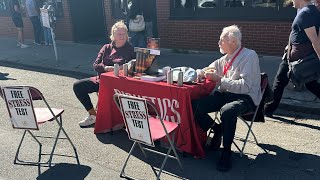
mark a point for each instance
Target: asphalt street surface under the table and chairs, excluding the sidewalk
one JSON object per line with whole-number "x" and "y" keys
{"x": 291, "y": 140}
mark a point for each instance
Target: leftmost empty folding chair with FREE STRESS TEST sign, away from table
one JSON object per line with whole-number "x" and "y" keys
{"x": 23, "y": 115}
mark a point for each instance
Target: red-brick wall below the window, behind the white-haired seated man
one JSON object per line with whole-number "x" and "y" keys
{"x": 264, "y": 37}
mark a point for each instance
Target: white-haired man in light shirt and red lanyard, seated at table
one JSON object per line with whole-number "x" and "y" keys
{"x": 238, "y": 77}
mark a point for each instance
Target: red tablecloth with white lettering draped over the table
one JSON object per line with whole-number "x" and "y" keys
{"x": 174, "y": 103}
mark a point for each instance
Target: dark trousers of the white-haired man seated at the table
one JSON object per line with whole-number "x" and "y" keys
{"x": 230, "y": 106}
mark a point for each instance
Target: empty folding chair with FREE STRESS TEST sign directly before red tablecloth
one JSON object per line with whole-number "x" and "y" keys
{"x": 143, "y": 129}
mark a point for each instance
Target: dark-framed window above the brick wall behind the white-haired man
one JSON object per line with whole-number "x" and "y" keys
{"x": 232, "y": 9}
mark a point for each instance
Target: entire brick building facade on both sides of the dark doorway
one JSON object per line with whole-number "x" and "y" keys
{"x": 266, "y": 37}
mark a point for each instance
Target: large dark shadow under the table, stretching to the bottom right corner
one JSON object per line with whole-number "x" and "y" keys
{"x": 279, "y": 163}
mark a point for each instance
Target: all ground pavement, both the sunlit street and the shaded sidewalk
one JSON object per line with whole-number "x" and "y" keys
{"x": 291, "y": 138}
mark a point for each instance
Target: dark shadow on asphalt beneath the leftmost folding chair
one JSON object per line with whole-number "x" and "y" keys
{"x": 65, "y": 171}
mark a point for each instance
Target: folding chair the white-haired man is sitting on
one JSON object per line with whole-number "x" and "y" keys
{"x": 252, "y": 114}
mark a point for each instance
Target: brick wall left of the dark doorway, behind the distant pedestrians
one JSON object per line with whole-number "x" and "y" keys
{"x": 63, "y": 27}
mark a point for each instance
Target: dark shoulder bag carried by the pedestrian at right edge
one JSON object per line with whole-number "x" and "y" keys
{"x": 304, "y": 70}
